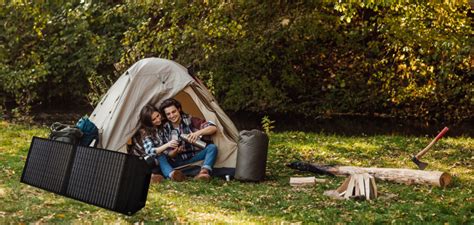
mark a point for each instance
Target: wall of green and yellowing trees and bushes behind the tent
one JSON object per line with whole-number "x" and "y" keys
{"x": 399, "y": 58}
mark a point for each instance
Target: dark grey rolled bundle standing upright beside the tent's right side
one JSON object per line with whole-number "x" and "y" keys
{"x": 252, "y": 155}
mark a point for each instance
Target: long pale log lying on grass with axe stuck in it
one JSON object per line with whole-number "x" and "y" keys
{"x": 404, "y": 176}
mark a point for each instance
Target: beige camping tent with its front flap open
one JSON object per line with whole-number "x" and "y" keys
{"x": 153, "y": 80}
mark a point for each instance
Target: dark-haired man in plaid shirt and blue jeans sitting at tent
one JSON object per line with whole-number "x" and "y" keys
{"x": 186, "y": 153}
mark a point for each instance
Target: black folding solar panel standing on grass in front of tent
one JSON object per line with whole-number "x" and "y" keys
{"x": 100, "y": 177}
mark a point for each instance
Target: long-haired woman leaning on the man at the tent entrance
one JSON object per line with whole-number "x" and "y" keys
{"x": 153, "y": 140}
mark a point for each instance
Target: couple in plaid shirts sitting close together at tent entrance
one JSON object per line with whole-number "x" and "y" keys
{"x": 160, "y": 139}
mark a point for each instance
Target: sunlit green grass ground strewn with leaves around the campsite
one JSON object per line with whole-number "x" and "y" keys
{"x": 272, "y": 200}
